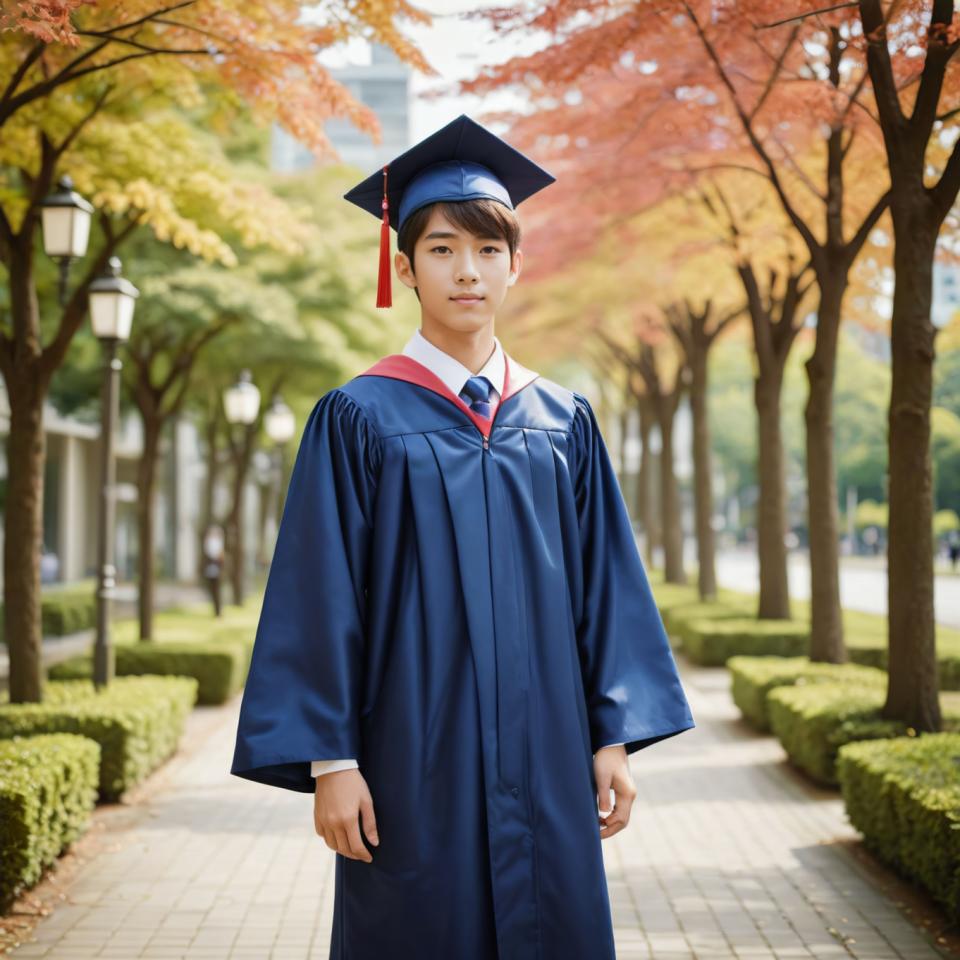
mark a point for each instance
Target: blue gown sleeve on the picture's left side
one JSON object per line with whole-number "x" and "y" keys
{"x": 301, "y": 699}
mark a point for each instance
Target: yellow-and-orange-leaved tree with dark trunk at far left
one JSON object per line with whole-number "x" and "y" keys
{"x": 76, "y": 76}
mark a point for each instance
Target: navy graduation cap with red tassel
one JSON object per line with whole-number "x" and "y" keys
{"x": 461, "y": 161}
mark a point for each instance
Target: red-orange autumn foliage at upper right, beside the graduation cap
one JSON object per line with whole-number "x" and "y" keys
{"x": 631, "y": 102}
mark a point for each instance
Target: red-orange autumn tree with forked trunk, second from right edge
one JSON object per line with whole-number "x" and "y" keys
{"x": 693, "y": 87}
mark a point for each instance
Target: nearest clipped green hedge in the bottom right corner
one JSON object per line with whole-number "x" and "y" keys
{"x": 903, "y": 795}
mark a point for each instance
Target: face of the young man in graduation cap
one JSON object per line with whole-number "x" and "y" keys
{"x": 462, "y": 279}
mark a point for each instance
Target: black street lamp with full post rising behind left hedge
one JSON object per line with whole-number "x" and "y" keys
{"x": 111, "y": 312}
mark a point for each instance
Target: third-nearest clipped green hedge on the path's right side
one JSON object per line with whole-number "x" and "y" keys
{"x": 754, "y": 677}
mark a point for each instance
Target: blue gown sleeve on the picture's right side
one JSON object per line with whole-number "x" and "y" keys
{"x": 630, "y": 677}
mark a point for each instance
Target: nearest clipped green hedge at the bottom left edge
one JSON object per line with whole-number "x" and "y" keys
{"x": 48, "y": 787}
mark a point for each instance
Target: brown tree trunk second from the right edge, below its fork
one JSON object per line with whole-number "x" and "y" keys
{"x": 826, "y": 624}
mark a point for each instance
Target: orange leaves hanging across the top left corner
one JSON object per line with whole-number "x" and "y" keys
{"x": 265, "y": 51}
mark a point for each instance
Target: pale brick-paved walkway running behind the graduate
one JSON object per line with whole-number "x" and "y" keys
{"x": 729, "y": 854}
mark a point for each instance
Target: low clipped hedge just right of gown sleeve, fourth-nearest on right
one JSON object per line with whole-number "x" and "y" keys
{"x": 712, "y": 642}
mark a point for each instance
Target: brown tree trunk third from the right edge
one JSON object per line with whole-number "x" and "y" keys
{"x": 774, "y": 600}
